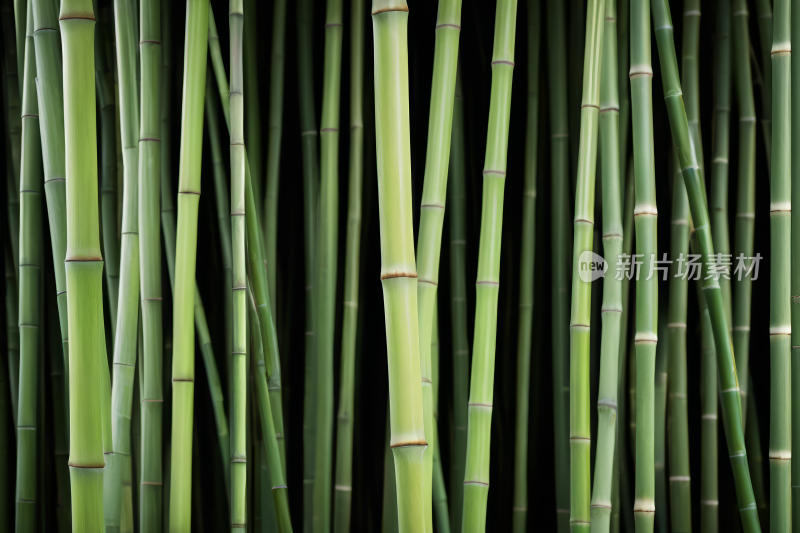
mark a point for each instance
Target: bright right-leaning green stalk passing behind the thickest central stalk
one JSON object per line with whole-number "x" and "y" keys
{"x": 440, "y": 120}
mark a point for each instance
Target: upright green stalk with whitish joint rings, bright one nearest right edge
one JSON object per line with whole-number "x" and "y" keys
{"x": 780, "y": 322}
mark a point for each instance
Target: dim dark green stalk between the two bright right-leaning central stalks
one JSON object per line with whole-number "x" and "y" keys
{"x": 458, "y": 306}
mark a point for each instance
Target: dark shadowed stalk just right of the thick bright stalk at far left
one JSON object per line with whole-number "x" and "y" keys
{"x": 108, "y": 161}
